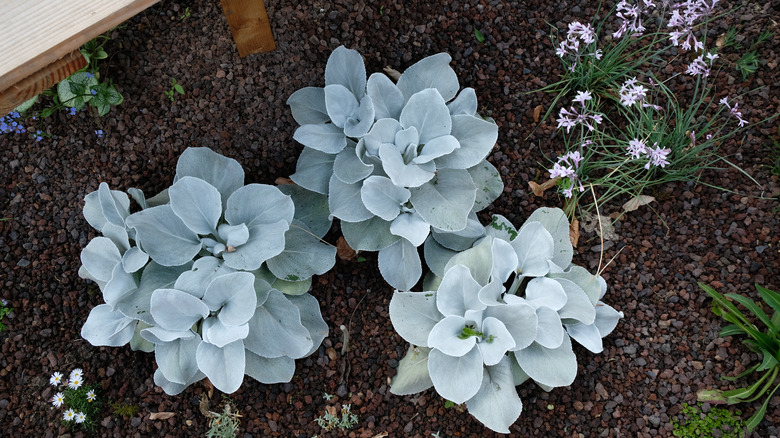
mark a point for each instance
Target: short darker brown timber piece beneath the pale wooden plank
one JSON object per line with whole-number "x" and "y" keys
{"x": 41, "y": 80}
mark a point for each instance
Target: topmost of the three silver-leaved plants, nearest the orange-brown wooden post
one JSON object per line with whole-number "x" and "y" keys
{"x": 398, "y": 161}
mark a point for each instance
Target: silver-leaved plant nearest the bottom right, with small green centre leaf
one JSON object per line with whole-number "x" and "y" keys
{"x": 504, "y": 311}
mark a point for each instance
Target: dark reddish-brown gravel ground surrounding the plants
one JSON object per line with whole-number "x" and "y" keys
{"x": 660, "y": 355}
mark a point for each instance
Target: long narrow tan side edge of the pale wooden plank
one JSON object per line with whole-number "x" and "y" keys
{"x": 65, "y": 47}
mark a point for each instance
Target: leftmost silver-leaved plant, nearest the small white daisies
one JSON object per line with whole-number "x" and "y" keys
{"x": 211, "y": 274}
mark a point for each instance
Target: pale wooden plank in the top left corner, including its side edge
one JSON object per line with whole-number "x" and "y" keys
{"x": 36, "y": 33}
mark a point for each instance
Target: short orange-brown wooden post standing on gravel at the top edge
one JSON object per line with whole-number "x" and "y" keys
{"x": 249, "y": 25}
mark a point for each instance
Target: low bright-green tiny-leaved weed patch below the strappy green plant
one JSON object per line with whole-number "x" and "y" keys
{"x": 696, "y": 424}
